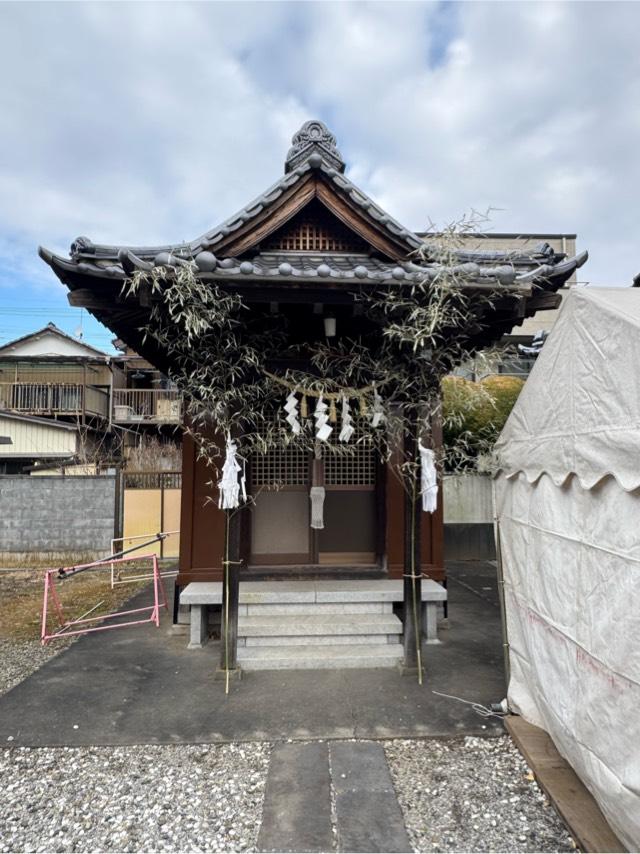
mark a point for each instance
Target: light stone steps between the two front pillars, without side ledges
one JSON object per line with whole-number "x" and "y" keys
{"x": 318, "y": 625}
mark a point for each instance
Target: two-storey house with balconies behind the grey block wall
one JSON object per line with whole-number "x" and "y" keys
{"x": 110, "y": 403}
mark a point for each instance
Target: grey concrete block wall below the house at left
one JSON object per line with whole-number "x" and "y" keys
{"x": 56, "y": 515}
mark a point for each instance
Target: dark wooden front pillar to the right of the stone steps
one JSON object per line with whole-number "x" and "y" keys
{"x": 412, "y": 586}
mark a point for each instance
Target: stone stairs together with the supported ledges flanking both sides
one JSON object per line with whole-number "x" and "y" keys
{"x": 313, "y": 624}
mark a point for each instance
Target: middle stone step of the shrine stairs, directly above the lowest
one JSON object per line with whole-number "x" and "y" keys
{"x": 319, "y": 625}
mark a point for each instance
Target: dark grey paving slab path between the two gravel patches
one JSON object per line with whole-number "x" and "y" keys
{"x": 331, "y": 796}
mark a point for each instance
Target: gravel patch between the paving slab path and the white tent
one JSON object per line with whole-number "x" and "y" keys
{"x": 472, "y": 794}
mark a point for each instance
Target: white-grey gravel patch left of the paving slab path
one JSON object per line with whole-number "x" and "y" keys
{"x": 186, "y": 798}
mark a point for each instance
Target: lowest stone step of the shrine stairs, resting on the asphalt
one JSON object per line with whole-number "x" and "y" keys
{"x": 319, "y": 657}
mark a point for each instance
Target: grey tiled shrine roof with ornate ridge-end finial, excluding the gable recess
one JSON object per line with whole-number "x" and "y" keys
{"x": 314, "y": 151}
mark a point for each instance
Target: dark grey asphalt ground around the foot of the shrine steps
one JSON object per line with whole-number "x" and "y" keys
{"x": 141, "y": 685}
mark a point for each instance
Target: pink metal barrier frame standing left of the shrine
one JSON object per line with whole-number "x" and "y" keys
{"x": 70, "y": 627}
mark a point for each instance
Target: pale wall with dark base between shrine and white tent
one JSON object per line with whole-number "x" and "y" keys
{"x": 468, "y": 518}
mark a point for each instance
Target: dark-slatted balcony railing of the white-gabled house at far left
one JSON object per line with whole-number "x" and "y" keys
{"x": 55, "y": 399}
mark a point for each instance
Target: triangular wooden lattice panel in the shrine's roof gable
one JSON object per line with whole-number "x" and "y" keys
{"x": 315, "y": 231}
